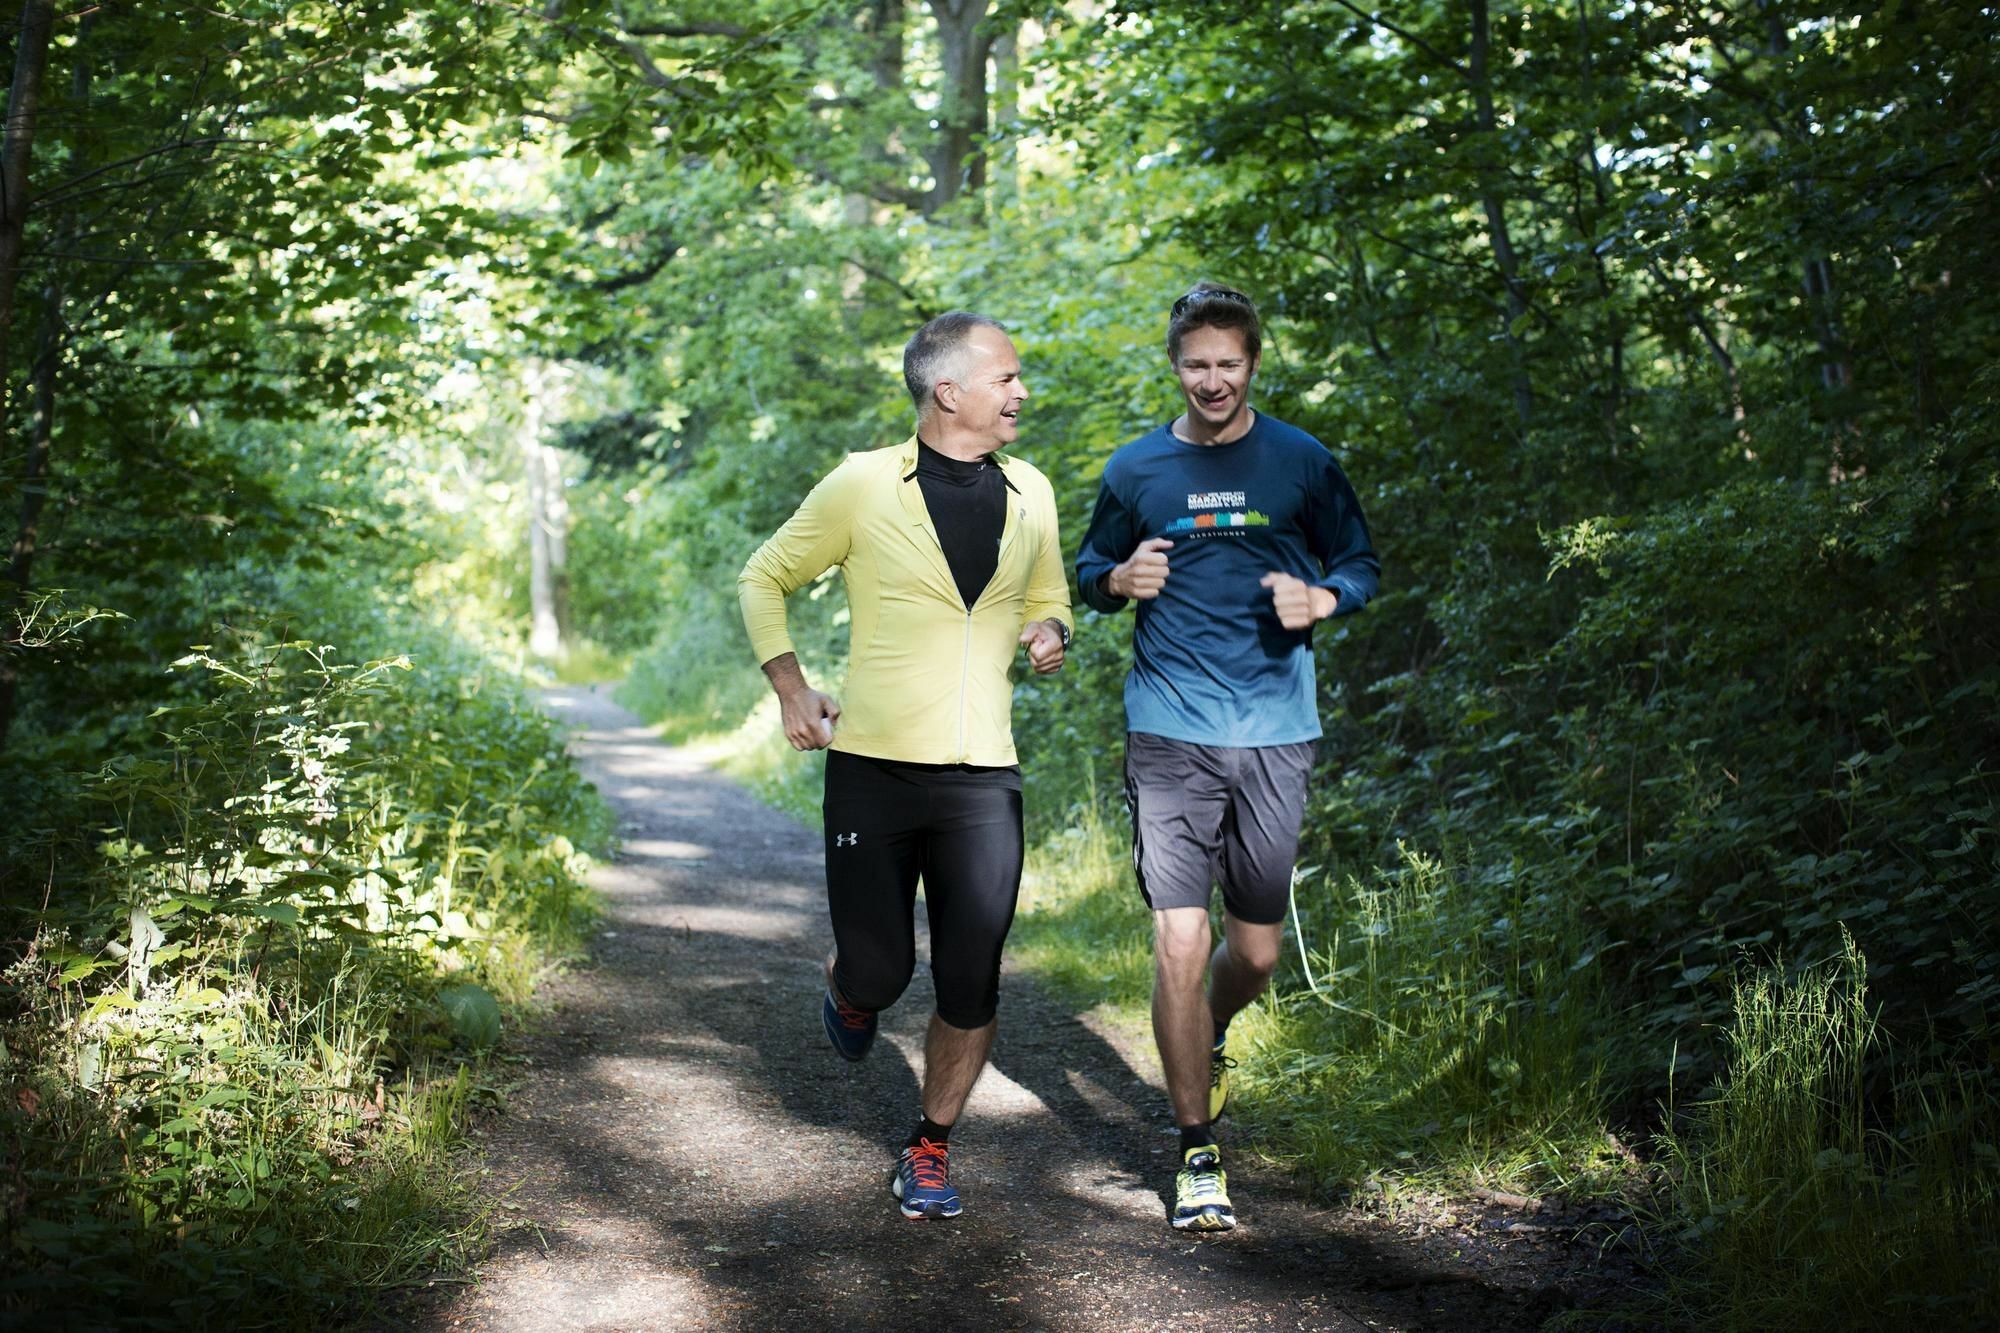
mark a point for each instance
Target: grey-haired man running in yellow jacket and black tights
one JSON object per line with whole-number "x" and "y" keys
{"x": 951, "y": 559}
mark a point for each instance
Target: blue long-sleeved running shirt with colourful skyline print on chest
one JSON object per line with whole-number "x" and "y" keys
{"x": 1211, "y": 661}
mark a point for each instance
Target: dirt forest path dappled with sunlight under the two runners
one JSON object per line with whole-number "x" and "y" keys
{"x": 687, "y": 1152}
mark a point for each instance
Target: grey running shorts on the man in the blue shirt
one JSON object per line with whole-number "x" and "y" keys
{"x": 1205, "y": 814}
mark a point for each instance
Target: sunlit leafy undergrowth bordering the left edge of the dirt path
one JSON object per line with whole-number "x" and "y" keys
{"x": 259, "y": 964}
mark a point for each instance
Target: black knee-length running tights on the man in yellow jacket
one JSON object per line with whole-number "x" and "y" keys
{"x": 951, "y": 826}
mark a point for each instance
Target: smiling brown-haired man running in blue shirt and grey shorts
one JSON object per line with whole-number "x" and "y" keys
{"x": 1235, "y": 533}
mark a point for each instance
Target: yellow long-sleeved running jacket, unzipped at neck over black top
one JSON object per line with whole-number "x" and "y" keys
{"x": 927, "y": 678}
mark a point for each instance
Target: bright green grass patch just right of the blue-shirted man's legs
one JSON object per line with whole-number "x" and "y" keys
{"x": 1435, "y": 1034}
